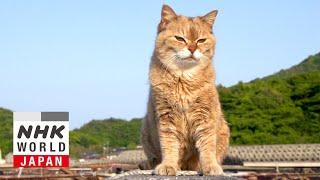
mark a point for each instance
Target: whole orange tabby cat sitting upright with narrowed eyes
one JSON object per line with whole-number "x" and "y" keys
{"x": 184, "y": 128}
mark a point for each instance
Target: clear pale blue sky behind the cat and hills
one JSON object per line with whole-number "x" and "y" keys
{"x": 91, "y": 58}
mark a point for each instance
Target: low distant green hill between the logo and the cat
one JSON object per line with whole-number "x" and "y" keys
{"x": 111, "y": 132}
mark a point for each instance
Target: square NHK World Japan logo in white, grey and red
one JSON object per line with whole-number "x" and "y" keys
{"x": 41, "y": 139}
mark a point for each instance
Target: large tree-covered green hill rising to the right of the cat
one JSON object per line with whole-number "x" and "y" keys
{"x": 281, "y": 108}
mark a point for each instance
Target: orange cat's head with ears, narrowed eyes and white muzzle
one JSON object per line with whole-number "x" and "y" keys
{"x": 182, "y": 42}
